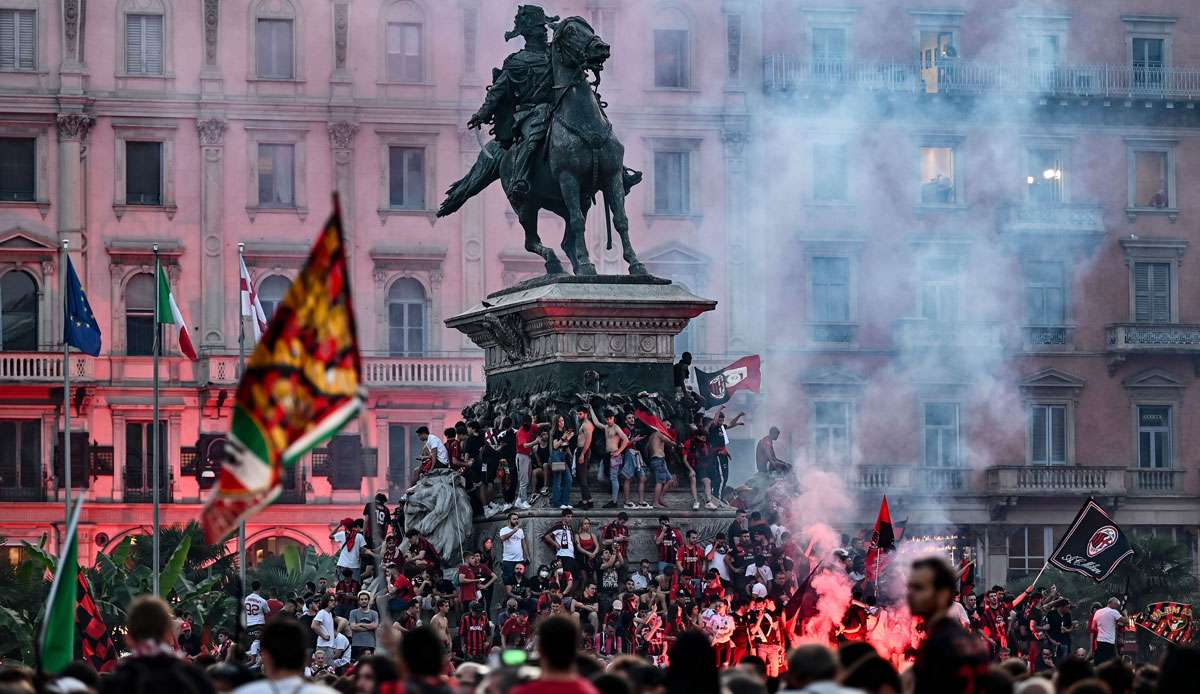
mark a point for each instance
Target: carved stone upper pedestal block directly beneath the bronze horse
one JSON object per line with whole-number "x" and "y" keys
{"x": 599, "y": 334}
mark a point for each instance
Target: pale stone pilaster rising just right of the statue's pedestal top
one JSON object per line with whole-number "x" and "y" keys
{"x": 740, "y": 316}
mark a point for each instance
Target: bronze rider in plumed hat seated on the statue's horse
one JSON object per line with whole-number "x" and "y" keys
{"x": 520, "y": 99}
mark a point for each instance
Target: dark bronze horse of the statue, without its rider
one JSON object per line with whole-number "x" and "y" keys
{"x": 579, "y": 159}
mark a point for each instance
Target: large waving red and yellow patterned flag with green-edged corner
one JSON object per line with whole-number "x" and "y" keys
{"x": 303, "y": 384}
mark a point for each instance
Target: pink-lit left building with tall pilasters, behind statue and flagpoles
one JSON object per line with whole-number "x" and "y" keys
{"x": 200, "y": 127}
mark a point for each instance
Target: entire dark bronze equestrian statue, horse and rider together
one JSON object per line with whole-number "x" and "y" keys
{"x": 555, "y": 148}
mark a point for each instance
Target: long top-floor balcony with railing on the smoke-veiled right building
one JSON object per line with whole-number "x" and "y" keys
{"x": 788, "y": 74}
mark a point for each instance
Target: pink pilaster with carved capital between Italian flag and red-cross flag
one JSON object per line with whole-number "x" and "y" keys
{"x": 213, "y": 302}
